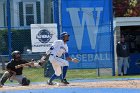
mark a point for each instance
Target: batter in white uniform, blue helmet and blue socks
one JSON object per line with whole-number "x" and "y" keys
{"x": 58, "y": 48}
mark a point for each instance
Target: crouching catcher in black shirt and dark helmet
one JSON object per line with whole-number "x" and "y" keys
{"x": 14, "y": 70}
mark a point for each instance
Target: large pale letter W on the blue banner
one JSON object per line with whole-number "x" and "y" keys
{"x": 88, "y": 19}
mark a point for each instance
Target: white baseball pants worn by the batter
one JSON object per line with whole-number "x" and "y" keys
{"x": 57, "y": 63}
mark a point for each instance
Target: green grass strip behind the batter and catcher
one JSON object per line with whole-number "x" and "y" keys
{"x": 37, "y": 74}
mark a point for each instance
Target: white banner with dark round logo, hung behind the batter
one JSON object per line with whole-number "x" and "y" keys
{"x": 42, "y": 36}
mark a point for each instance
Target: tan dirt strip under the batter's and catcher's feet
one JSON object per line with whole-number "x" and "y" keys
{"x": 99, "y": 84}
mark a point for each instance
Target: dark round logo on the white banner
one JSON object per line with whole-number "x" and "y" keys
{"x": 44, "y": 36}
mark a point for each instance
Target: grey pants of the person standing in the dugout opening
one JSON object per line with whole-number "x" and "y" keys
{"x": 123, "y": 62}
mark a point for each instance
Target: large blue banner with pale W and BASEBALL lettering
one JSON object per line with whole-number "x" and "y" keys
{"x": 89, "y": 24}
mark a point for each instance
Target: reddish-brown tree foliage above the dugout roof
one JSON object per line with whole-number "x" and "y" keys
{"x": 126, "y": 8}
